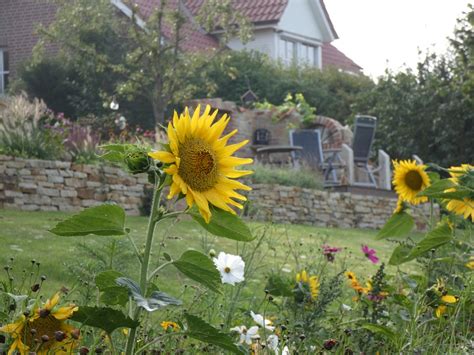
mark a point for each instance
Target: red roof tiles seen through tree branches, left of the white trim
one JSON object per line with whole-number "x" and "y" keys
{"x": 194, "y": 38}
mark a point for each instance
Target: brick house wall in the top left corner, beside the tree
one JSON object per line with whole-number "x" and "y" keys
{"x": 18, "y": 23}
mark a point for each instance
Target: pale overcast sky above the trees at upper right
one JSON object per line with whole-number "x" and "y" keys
{"x": 377, "y": 34}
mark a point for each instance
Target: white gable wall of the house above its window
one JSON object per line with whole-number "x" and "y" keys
{"x": 300, "y": 18}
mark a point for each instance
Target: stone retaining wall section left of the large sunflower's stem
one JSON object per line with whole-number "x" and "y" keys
{"x": 43, "y": 185}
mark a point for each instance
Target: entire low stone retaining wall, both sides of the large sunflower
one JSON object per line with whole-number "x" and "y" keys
{"x": 43, "y": 185}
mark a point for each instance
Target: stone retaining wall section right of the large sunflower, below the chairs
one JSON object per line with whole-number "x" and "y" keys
{"x": 284, "y": 204}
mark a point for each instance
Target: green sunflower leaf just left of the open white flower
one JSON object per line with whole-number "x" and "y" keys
{"x": 199, "y": 267}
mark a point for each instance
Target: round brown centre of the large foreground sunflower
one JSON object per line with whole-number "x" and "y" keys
{"x": 198, "y": 166}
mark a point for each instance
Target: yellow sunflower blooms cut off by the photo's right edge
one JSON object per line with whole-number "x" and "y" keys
{"x": 462, "y": 176}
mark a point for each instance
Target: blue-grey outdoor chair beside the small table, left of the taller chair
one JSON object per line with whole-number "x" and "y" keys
{"x": 312, "y": 154}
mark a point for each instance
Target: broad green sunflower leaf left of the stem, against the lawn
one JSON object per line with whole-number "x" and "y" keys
{"x": 101, "y": 220}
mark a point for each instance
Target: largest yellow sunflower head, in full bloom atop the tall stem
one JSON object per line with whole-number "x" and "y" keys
{"x": 201, "y": 163}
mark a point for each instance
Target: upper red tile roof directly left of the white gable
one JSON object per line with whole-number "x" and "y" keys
{"x": 256, "y": 11}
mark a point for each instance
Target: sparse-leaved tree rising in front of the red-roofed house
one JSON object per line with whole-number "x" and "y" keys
{"x": 133, "y": 59}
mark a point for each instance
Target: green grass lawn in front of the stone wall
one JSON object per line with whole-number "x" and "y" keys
{"x": 24, "y": 236}
